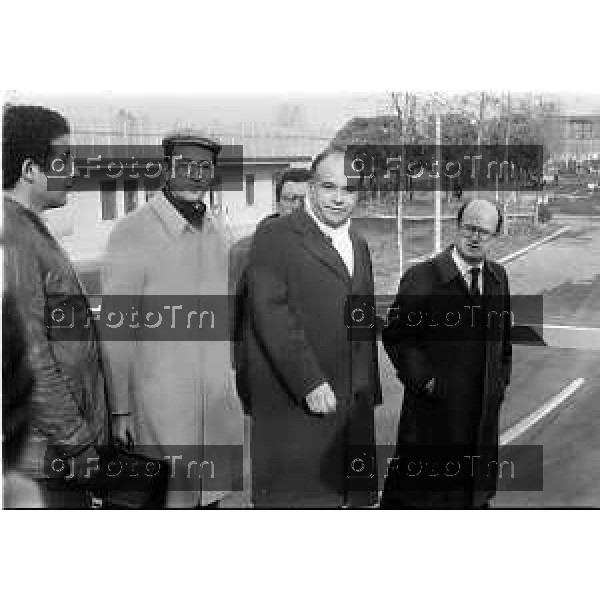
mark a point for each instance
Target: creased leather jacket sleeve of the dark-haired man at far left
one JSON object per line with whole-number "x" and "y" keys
{"x": 55, "y": 410}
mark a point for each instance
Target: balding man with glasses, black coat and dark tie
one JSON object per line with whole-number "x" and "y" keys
{"x": 448, "y": 337}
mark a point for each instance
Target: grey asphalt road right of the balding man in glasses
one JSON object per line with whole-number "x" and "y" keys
{"x": 567, "y": 272}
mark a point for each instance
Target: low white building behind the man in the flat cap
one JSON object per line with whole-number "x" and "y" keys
{"x": 85, "y": 223}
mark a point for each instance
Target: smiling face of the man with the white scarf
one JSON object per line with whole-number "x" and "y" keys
{"x": 332, "y": 198}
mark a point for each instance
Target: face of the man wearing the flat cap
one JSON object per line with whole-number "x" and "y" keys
{"x": 190, "y": 172}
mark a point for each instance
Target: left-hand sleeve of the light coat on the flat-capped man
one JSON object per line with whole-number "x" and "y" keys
{"x": 122, "y": 275}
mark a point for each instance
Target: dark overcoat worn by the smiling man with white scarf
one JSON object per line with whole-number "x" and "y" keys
{"x": 296, "y": 339}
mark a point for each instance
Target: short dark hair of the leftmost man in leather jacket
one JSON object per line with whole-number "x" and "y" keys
{"x": 27, "y": 132}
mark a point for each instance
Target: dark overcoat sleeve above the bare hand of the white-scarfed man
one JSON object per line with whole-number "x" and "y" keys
{"x": 278, "y": 329}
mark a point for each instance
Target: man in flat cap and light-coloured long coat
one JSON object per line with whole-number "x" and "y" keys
{"x": 172, "y": 395}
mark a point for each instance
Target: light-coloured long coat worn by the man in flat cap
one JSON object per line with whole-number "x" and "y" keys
{"x": 181, "y": 393}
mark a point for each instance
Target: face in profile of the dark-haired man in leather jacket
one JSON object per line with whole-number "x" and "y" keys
{"x": 51, "y": 192}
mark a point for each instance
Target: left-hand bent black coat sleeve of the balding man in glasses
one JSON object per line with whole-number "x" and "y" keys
{"x": 406, "y": 353}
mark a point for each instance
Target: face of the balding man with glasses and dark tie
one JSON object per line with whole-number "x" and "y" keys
{"x": 477, "y": 230}
